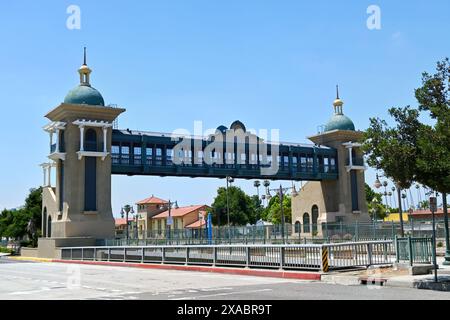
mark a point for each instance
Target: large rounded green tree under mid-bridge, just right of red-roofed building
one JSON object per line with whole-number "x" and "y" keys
{"x": 241, "y": 206}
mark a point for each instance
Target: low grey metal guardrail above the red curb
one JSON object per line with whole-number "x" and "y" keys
{"x": 317, "y": 257}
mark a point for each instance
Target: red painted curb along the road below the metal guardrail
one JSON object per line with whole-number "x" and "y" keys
{"x": 243, "y": 272}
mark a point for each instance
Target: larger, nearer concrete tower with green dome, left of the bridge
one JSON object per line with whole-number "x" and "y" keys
{"x": 78, "y": 209}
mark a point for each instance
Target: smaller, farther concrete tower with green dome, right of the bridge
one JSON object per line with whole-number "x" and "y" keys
{"x": 342, "y": 199}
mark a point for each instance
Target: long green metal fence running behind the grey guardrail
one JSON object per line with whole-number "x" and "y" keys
{"x": 273, "y": 234}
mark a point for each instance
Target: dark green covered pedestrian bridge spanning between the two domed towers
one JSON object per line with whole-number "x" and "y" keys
{"x": 155, "y": 154}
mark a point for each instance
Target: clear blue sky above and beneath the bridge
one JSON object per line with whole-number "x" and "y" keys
{"x": 270, "y": 64}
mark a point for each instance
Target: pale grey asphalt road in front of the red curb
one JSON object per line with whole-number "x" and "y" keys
{"x": 27, "y": 280}
